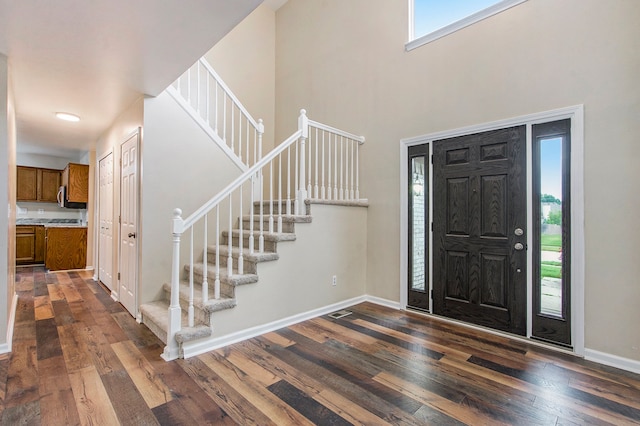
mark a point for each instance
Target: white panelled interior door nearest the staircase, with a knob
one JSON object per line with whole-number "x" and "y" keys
{"x": 129, "y": 224}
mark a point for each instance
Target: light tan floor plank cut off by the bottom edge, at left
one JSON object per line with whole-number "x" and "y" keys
{"x": 92, "y": 400}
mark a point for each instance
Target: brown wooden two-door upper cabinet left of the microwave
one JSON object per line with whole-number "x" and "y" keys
{"x": 37, "y": 184}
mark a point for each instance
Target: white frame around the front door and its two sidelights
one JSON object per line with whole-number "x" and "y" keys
{"x": 576, "y": 115}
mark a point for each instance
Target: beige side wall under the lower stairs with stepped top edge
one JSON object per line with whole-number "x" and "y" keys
{"x": 300, "y": 280}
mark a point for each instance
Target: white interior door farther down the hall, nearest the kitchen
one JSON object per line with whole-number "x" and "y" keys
{"x": 105, "y": 243}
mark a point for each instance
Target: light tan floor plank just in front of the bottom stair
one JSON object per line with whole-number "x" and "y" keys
{"x": 154, "y": 391}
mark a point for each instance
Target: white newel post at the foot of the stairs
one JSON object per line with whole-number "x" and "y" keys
{"x": 171, "y": 351}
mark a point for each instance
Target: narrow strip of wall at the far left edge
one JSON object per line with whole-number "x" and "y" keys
{"x": 7, "y": 200}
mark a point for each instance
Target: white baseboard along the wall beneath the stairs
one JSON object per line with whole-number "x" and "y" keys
{"x": 198, "y": 348}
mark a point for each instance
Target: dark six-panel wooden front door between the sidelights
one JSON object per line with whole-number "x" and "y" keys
{"x": 479, "y": 240}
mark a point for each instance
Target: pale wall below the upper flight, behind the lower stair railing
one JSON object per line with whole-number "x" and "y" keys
{"x": 182, "y": 168}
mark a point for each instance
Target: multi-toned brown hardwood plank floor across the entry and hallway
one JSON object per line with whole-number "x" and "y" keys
{"x": 79, "y": 358}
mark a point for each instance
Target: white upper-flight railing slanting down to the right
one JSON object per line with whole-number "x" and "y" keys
{"x": 202, "y": 93}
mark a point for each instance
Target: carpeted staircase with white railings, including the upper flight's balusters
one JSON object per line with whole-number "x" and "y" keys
{"x": 248, "y": 219}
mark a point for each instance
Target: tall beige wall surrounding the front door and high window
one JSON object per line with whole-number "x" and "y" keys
{"x": 345, "y": 63}
